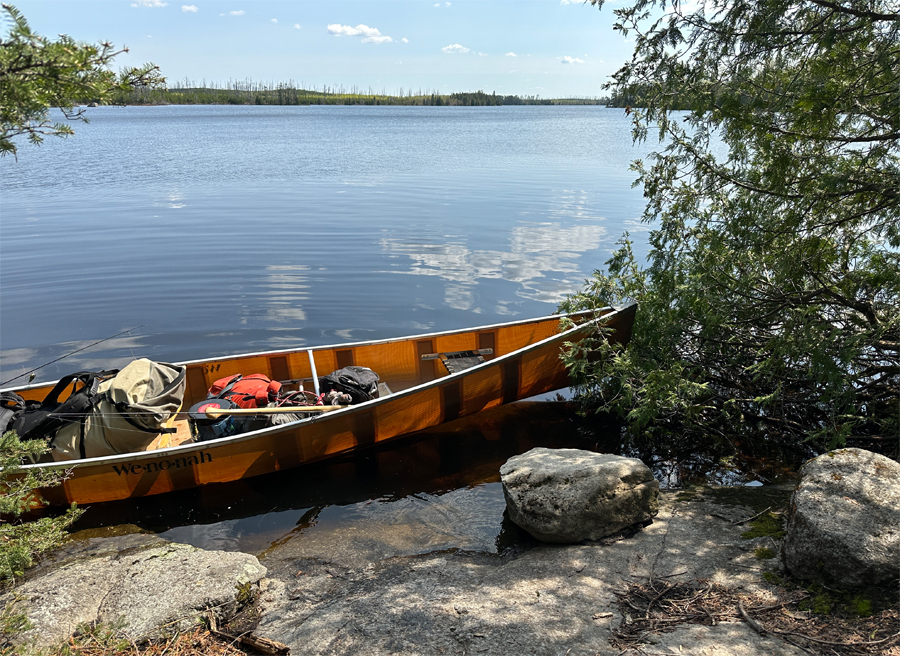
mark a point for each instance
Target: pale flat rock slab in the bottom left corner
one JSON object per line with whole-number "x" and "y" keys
{"x": 155, "y": 585}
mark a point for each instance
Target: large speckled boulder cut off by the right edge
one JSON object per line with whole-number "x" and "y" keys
{"x": 844, "y": 522}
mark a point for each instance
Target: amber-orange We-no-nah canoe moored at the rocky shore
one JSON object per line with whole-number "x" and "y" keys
{"x": 524, "y": 361}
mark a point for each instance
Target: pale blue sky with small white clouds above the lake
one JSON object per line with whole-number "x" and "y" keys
{"x": 550, "y": 48}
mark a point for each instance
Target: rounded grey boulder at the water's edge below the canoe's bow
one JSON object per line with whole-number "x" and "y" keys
{"x": 570, "y": 495}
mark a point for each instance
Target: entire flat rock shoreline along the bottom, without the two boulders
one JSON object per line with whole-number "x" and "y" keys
{"x": 576, "y": 599}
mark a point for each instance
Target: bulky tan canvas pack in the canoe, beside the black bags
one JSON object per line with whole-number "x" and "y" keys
{"x": 128, "y": 413}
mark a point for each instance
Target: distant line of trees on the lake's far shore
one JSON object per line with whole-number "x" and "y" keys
{"x": 250, "y": 92}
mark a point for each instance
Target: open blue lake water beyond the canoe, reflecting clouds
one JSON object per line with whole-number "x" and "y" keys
{"x": 222, "y": 229}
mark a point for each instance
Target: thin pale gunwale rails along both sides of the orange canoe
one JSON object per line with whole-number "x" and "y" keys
{"x": 174, "y": 451}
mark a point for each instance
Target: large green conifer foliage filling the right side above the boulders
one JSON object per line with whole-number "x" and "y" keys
{"x": 770, "y": 302}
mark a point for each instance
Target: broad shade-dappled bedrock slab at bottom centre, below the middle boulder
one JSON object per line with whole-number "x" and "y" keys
{"x": 550, "y": 600}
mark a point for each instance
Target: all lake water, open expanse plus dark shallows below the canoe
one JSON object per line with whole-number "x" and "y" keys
{"x": 231, "y": 229}
